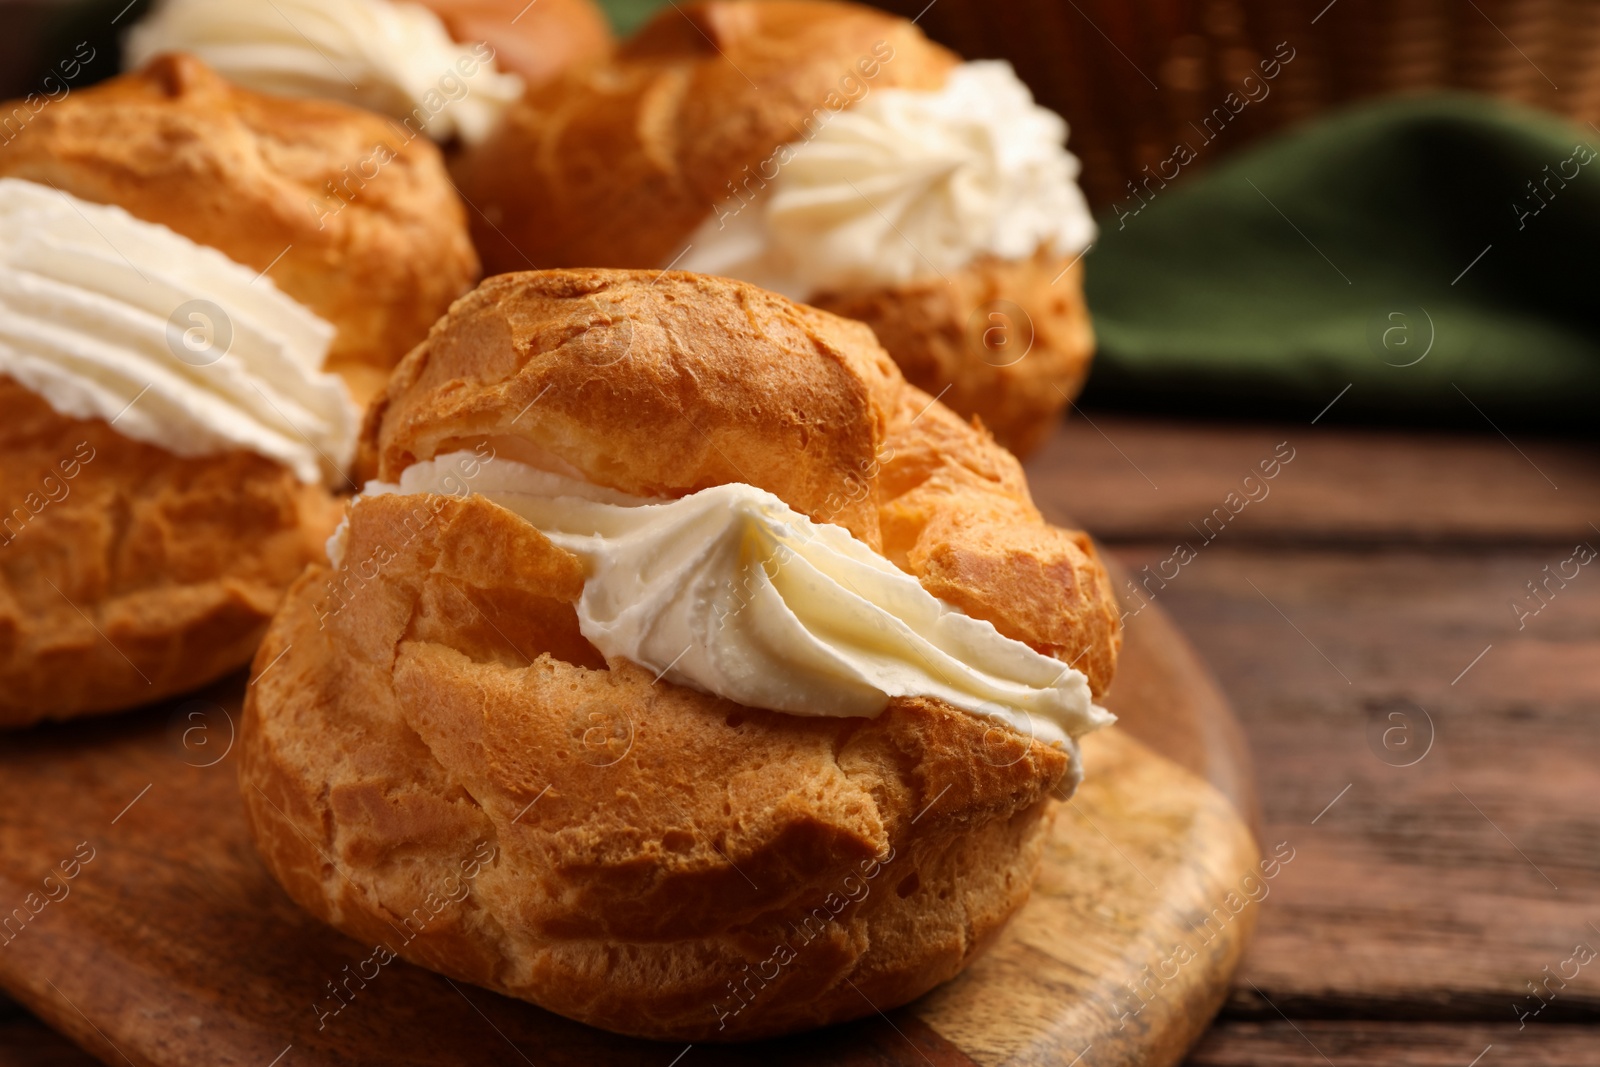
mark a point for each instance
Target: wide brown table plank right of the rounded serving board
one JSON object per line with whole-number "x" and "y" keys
{"x": 1438, "y": 890}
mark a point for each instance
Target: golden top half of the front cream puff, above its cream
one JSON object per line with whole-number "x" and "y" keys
{"x": 663, "y": 385}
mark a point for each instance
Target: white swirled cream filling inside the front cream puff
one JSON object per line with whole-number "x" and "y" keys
{"x": 732, "y": 593}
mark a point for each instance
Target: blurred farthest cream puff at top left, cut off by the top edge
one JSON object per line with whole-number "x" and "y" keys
{"x": 444, "y": 68}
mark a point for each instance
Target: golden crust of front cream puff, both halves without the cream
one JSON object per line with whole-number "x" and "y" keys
{"x": 438, "y": 761}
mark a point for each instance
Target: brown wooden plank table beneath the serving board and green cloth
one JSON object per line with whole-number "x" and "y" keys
{"x": 1434, "y": 767}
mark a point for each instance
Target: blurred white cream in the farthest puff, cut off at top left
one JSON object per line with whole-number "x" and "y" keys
{"x": 390, "y": 57}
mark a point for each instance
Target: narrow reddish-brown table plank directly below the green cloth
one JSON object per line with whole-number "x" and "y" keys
{"x": 1129, "y": 479}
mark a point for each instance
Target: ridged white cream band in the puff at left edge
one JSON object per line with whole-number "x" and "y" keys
{"x": 172, "y": 343}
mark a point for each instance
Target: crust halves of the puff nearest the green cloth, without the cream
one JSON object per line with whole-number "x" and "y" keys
{"x": 618, "y": 166}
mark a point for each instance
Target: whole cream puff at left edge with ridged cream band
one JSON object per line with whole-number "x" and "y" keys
{"x": 170, "y": 436}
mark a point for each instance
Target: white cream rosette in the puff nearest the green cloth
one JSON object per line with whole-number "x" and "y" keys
{"x": 905, "y": 186}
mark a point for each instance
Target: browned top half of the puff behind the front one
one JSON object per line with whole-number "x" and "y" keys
{"x": 631, "y": 158}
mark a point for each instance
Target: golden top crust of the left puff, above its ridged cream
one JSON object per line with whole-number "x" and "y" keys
{"x": 350, "y": 217}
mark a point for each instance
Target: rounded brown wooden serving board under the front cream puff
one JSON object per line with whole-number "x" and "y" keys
{"x": 161, "y": 940}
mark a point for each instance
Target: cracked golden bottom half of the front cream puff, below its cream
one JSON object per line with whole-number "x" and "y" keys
{"x": 438, "y": 764}
